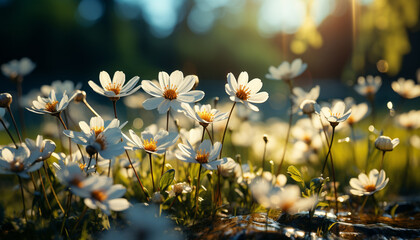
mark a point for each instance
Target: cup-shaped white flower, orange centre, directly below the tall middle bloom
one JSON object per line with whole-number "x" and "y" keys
{"x": 154, "y": 143}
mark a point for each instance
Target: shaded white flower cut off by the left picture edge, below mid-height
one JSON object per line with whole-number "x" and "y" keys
{"x": 19, "y": 161}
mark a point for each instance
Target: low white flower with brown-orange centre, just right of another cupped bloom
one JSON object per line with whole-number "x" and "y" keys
{"x": 206, "y": 154}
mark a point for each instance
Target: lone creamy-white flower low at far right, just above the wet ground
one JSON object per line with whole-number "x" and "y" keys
{"x": 367, "y": 185}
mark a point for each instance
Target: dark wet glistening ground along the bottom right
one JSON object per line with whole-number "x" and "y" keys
{"x": 404, "y": 225}
